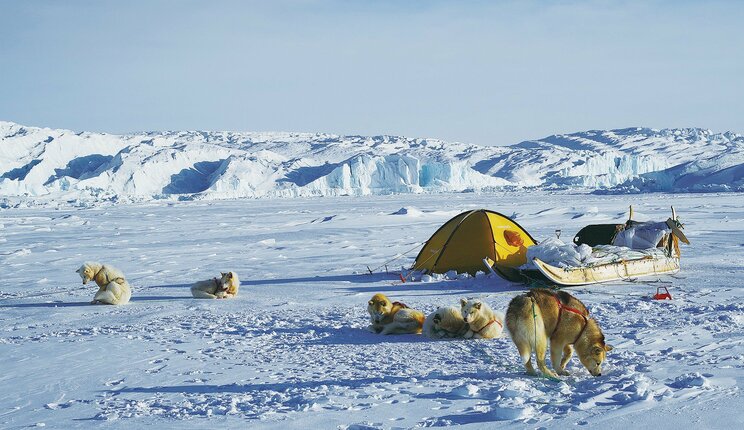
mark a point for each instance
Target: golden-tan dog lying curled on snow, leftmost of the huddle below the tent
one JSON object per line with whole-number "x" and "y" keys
{"x": 388, "y": 317}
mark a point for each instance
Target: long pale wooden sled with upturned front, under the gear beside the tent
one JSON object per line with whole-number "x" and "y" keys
{"x": 621, "y": 270}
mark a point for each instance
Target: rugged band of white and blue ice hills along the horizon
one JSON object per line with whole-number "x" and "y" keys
{"x": 61, "y": 167}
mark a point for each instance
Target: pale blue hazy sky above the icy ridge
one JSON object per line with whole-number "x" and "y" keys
{"x": 483, "y": 72}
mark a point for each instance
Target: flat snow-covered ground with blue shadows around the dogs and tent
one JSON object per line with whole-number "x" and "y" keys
{"x": 291, "y": 351}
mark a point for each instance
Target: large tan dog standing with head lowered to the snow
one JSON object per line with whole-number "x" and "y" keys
{"x": 542, "y": 315}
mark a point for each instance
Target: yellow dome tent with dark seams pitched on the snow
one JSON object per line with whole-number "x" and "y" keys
{"x": 463, "y": 242}
